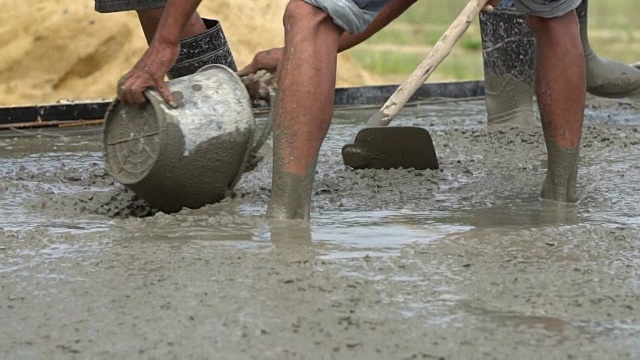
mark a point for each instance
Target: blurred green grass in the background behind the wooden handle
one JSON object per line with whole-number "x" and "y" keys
{"x": 614, "y": 32}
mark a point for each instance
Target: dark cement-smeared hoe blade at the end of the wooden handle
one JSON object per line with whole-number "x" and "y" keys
{"x": 390, "y": 148}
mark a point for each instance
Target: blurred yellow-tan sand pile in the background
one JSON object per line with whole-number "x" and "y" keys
{"x": 53, "y": 50}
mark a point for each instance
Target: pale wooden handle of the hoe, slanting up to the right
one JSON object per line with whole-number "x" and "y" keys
{"x": 439, "y": 52}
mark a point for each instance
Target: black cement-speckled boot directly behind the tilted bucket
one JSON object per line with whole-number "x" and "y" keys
{"x": 209, "y": 47}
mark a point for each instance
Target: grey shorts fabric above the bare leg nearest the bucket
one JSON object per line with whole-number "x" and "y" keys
{"x": 351, "y": 15}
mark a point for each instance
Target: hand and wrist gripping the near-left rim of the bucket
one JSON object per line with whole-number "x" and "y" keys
{"x": 149, "y": 72}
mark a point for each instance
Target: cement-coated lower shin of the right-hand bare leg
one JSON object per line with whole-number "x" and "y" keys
{"x": 562, "y": 174}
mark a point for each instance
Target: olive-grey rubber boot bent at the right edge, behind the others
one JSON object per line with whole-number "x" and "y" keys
{"x": 607, "y": 78}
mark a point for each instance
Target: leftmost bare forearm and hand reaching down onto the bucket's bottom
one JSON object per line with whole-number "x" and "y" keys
{"x": 162, "y": 53}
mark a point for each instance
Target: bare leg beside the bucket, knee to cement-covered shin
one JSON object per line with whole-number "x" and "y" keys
{"x": 303, "y": 108}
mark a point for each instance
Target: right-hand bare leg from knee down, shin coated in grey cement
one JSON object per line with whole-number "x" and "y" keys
{"x": 560, "y": 90}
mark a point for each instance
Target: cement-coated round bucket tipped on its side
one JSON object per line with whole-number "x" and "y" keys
{"x": 185, "y": 157}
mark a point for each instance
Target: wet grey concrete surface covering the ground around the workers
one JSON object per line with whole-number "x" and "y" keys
{"x": 460, "y": 263}
